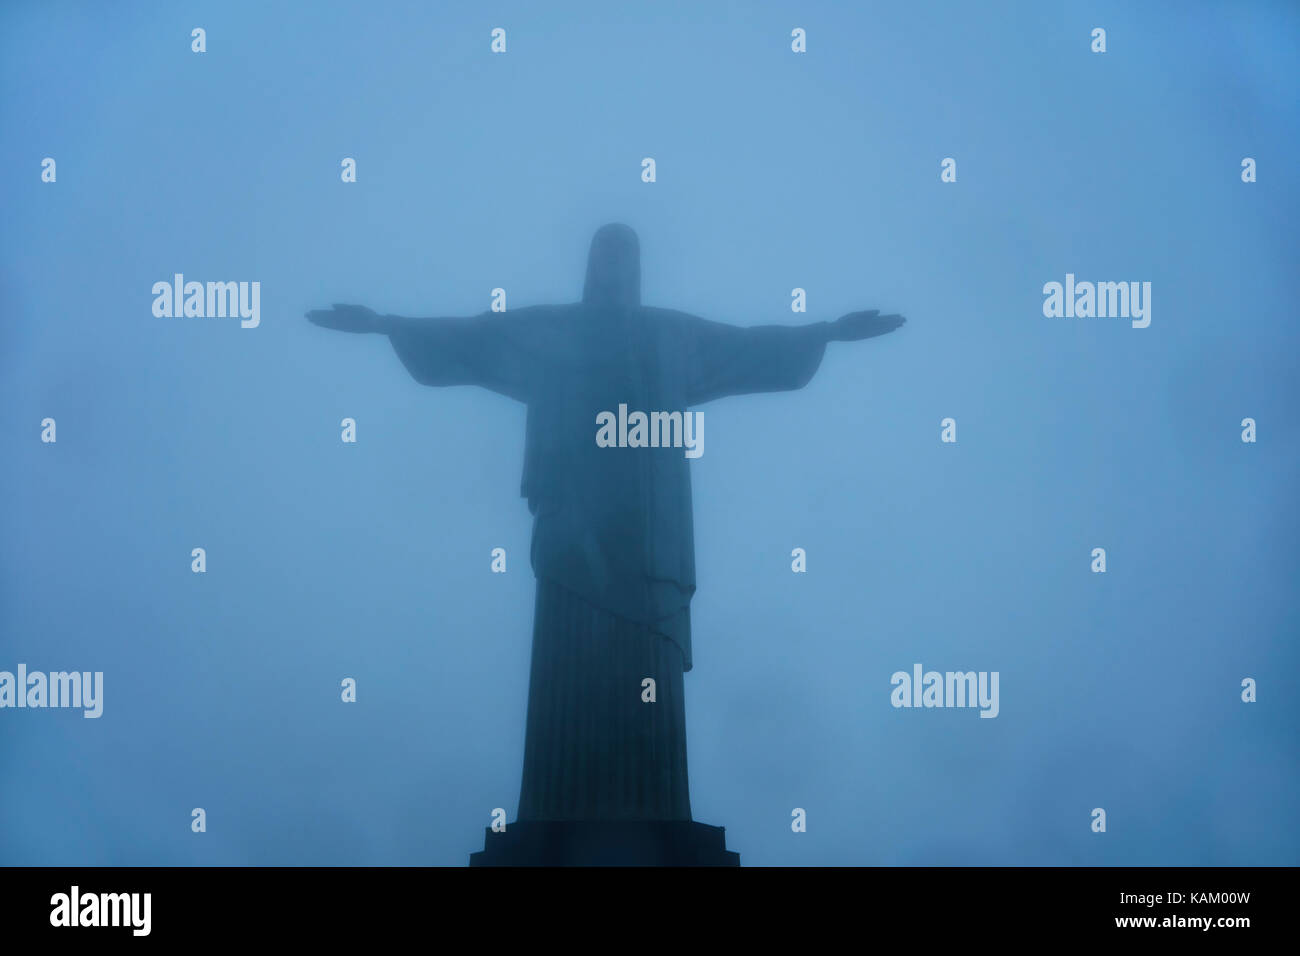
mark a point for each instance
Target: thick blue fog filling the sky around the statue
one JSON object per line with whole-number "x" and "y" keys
{"x": 774, "y": 171}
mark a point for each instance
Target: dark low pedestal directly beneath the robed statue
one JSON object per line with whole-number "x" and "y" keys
{"x": 583, "y": 843}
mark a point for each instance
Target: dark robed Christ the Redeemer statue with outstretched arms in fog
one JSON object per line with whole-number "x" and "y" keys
{"x": 613, "y": 540}
